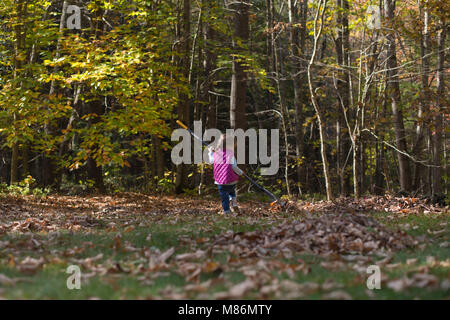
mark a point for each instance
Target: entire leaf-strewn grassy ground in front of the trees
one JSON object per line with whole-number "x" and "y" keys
{"x": 132, "y": 246}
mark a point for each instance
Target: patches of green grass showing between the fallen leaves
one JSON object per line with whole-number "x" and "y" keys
{"x": 49, "y": 282}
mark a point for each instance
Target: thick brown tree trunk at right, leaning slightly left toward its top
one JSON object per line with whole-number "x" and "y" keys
{"x": 394, "y": 92}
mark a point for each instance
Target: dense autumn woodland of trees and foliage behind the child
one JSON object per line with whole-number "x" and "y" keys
{"x": 361, "y": 108}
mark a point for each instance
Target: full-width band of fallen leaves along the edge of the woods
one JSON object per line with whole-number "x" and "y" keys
{"x": 29, "y": 214}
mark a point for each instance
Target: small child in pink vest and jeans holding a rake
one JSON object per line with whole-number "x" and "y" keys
{"x": 226, "y": 174}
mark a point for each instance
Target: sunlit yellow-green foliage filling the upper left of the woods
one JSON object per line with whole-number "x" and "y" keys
{"x": 129, "y": 65}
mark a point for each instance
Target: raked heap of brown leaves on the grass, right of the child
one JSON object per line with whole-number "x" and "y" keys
{"x": 328, "y": 233}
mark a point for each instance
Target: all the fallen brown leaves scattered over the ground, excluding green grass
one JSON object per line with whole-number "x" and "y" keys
{"x": 342, "y": 233}
